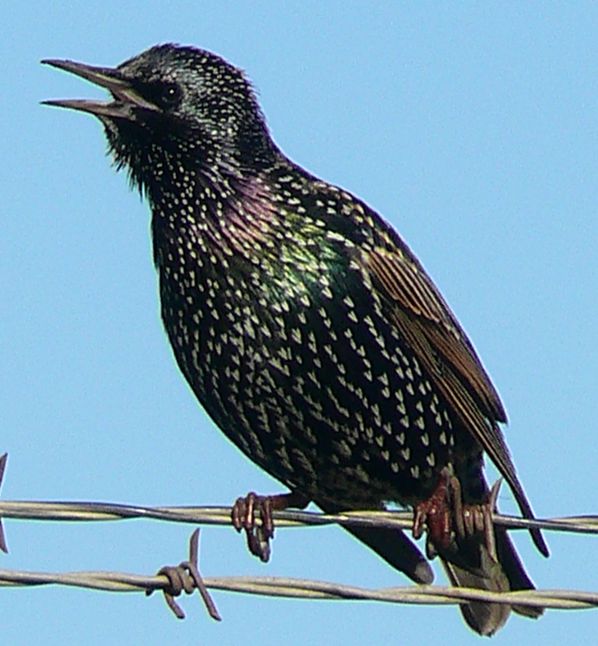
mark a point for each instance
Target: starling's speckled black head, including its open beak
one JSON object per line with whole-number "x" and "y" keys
{"x": 180, "y": 102}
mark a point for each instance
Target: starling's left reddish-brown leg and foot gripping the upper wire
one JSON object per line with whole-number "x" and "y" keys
{"x": 258, "y": 536}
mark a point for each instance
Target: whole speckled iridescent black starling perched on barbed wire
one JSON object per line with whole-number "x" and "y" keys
{"x": 307, "y": 328}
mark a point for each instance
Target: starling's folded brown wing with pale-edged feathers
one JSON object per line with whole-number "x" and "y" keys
{"x": 430, "y": 328}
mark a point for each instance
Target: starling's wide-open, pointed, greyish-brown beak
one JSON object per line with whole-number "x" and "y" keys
{"x": 125, "y": 97}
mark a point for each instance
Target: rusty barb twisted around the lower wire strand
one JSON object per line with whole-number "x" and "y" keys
{"x": 185, "y": 577}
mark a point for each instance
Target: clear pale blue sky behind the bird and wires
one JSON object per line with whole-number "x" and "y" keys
{"x": 472, "y": 127}
